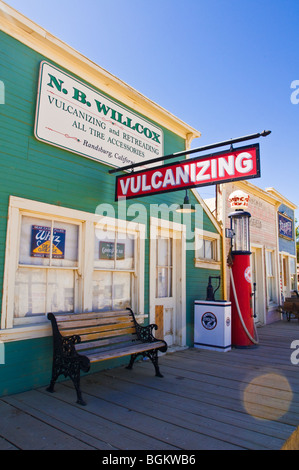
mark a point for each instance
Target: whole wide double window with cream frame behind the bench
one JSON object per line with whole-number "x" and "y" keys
{"x": 63, "y": 260}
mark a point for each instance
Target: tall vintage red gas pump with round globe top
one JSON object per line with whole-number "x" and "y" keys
{"x": 243, "y": 329}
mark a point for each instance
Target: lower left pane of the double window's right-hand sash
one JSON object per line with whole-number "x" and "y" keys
{"x": 102, "y": 291}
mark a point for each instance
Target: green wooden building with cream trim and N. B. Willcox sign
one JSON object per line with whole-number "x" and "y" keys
{"x": 66, "y": 245}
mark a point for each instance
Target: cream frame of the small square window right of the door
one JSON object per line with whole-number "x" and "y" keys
{"x": 207, "y": 263}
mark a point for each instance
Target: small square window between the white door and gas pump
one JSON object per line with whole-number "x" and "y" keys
{"x": 207, "y": 249}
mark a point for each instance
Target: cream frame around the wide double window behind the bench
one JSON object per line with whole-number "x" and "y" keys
{"x": 86, "y": 221}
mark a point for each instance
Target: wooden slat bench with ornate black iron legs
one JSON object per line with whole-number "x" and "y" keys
{"x": 81, "y": 339}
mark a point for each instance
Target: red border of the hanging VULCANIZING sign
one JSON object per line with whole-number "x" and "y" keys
{"x": 192, "y": 185}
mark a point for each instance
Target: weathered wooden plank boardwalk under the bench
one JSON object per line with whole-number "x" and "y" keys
{"x": 242, "y": 399}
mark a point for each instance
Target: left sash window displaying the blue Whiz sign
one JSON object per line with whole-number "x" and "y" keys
{"x": 47, "y": 270}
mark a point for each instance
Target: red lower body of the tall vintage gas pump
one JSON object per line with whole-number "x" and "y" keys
{"x": 241, "y": 272}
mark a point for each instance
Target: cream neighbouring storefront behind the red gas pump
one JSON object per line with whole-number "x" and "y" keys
{"x": 272, "y": 241}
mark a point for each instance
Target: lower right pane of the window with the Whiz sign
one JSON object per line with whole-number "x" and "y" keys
{"x": 60, "y": 290}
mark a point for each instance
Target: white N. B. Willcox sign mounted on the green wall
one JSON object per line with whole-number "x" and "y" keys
{"x": 76, "y": 117}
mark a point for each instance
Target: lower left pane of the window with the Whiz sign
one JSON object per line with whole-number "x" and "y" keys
{"x": 30, "y": 292}
